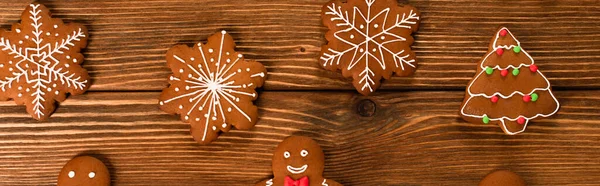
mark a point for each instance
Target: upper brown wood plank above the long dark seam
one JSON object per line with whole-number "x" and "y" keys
{"x": 130, "y": 38}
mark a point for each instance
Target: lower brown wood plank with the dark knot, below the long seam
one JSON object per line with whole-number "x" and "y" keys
{"x": 412, "y": 138}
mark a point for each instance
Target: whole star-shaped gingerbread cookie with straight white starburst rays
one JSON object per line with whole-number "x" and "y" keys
{"x": 212, "y": 87}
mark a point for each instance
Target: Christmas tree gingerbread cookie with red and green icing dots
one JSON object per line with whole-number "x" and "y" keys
{"x": 508, "y": 89}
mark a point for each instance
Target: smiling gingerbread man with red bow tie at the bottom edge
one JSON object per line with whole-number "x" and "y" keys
{"x": 298, "y": 161}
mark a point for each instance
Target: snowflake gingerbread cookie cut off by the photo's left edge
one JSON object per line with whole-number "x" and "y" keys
{"x": 40, "y": 61}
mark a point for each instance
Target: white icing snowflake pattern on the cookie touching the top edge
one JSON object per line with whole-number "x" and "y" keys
{"x": 367, "y": 75}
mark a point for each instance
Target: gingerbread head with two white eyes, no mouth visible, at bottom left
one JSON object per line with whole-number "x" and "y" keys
{"x": 84, "y": 170}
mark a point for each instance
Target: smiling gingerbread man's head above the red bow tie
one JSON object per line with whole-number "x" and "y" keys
{"x": 298, "y": 157}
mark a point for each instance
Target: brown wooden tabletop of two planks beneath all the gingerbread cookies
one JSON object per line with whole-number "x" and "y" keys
{"x": 408, "y": 133}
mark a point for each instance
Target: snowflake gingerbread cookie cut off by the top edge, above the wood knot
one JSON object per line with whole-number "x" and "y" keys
{"x": 368, "y": 40}
